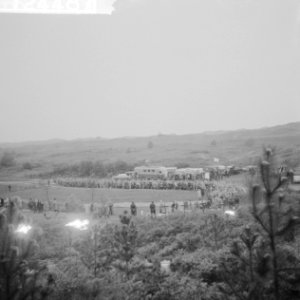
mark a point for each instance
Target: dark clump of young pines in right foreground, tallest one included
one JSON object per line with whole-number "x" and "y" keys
{"x": 263, "y": 264}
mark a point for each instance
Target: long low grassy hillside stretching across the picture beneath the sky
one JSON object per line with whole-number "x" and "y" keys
{"x": 238, "y": 147}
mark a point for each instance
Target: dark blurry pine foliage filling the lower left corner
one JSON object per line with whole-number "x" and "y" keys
{"x": 20, "y": 275}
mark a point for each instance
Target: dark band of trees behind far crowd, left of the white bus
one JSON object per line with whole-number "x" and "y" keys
{"x": 91, "y": 169}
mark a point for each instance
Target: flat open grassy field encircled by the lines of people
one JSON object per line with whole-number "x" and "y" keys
{"x": 119, "y": 197}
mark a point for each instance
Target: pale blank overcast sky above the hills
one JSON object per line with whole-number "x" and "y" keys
{"x": 144, "y": 67}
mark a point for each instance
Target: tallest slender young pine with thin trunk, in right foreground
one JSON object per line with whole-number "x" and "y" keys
{"x": 275, "y": 219}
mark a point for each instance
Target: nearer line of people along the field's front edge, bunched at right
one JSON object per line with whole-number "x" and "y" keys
{"x": 207, "y": 195}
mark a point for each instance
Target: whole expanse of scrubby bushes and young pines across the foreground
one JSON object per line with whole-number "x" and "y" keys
{"x": 253, "y": 254}
